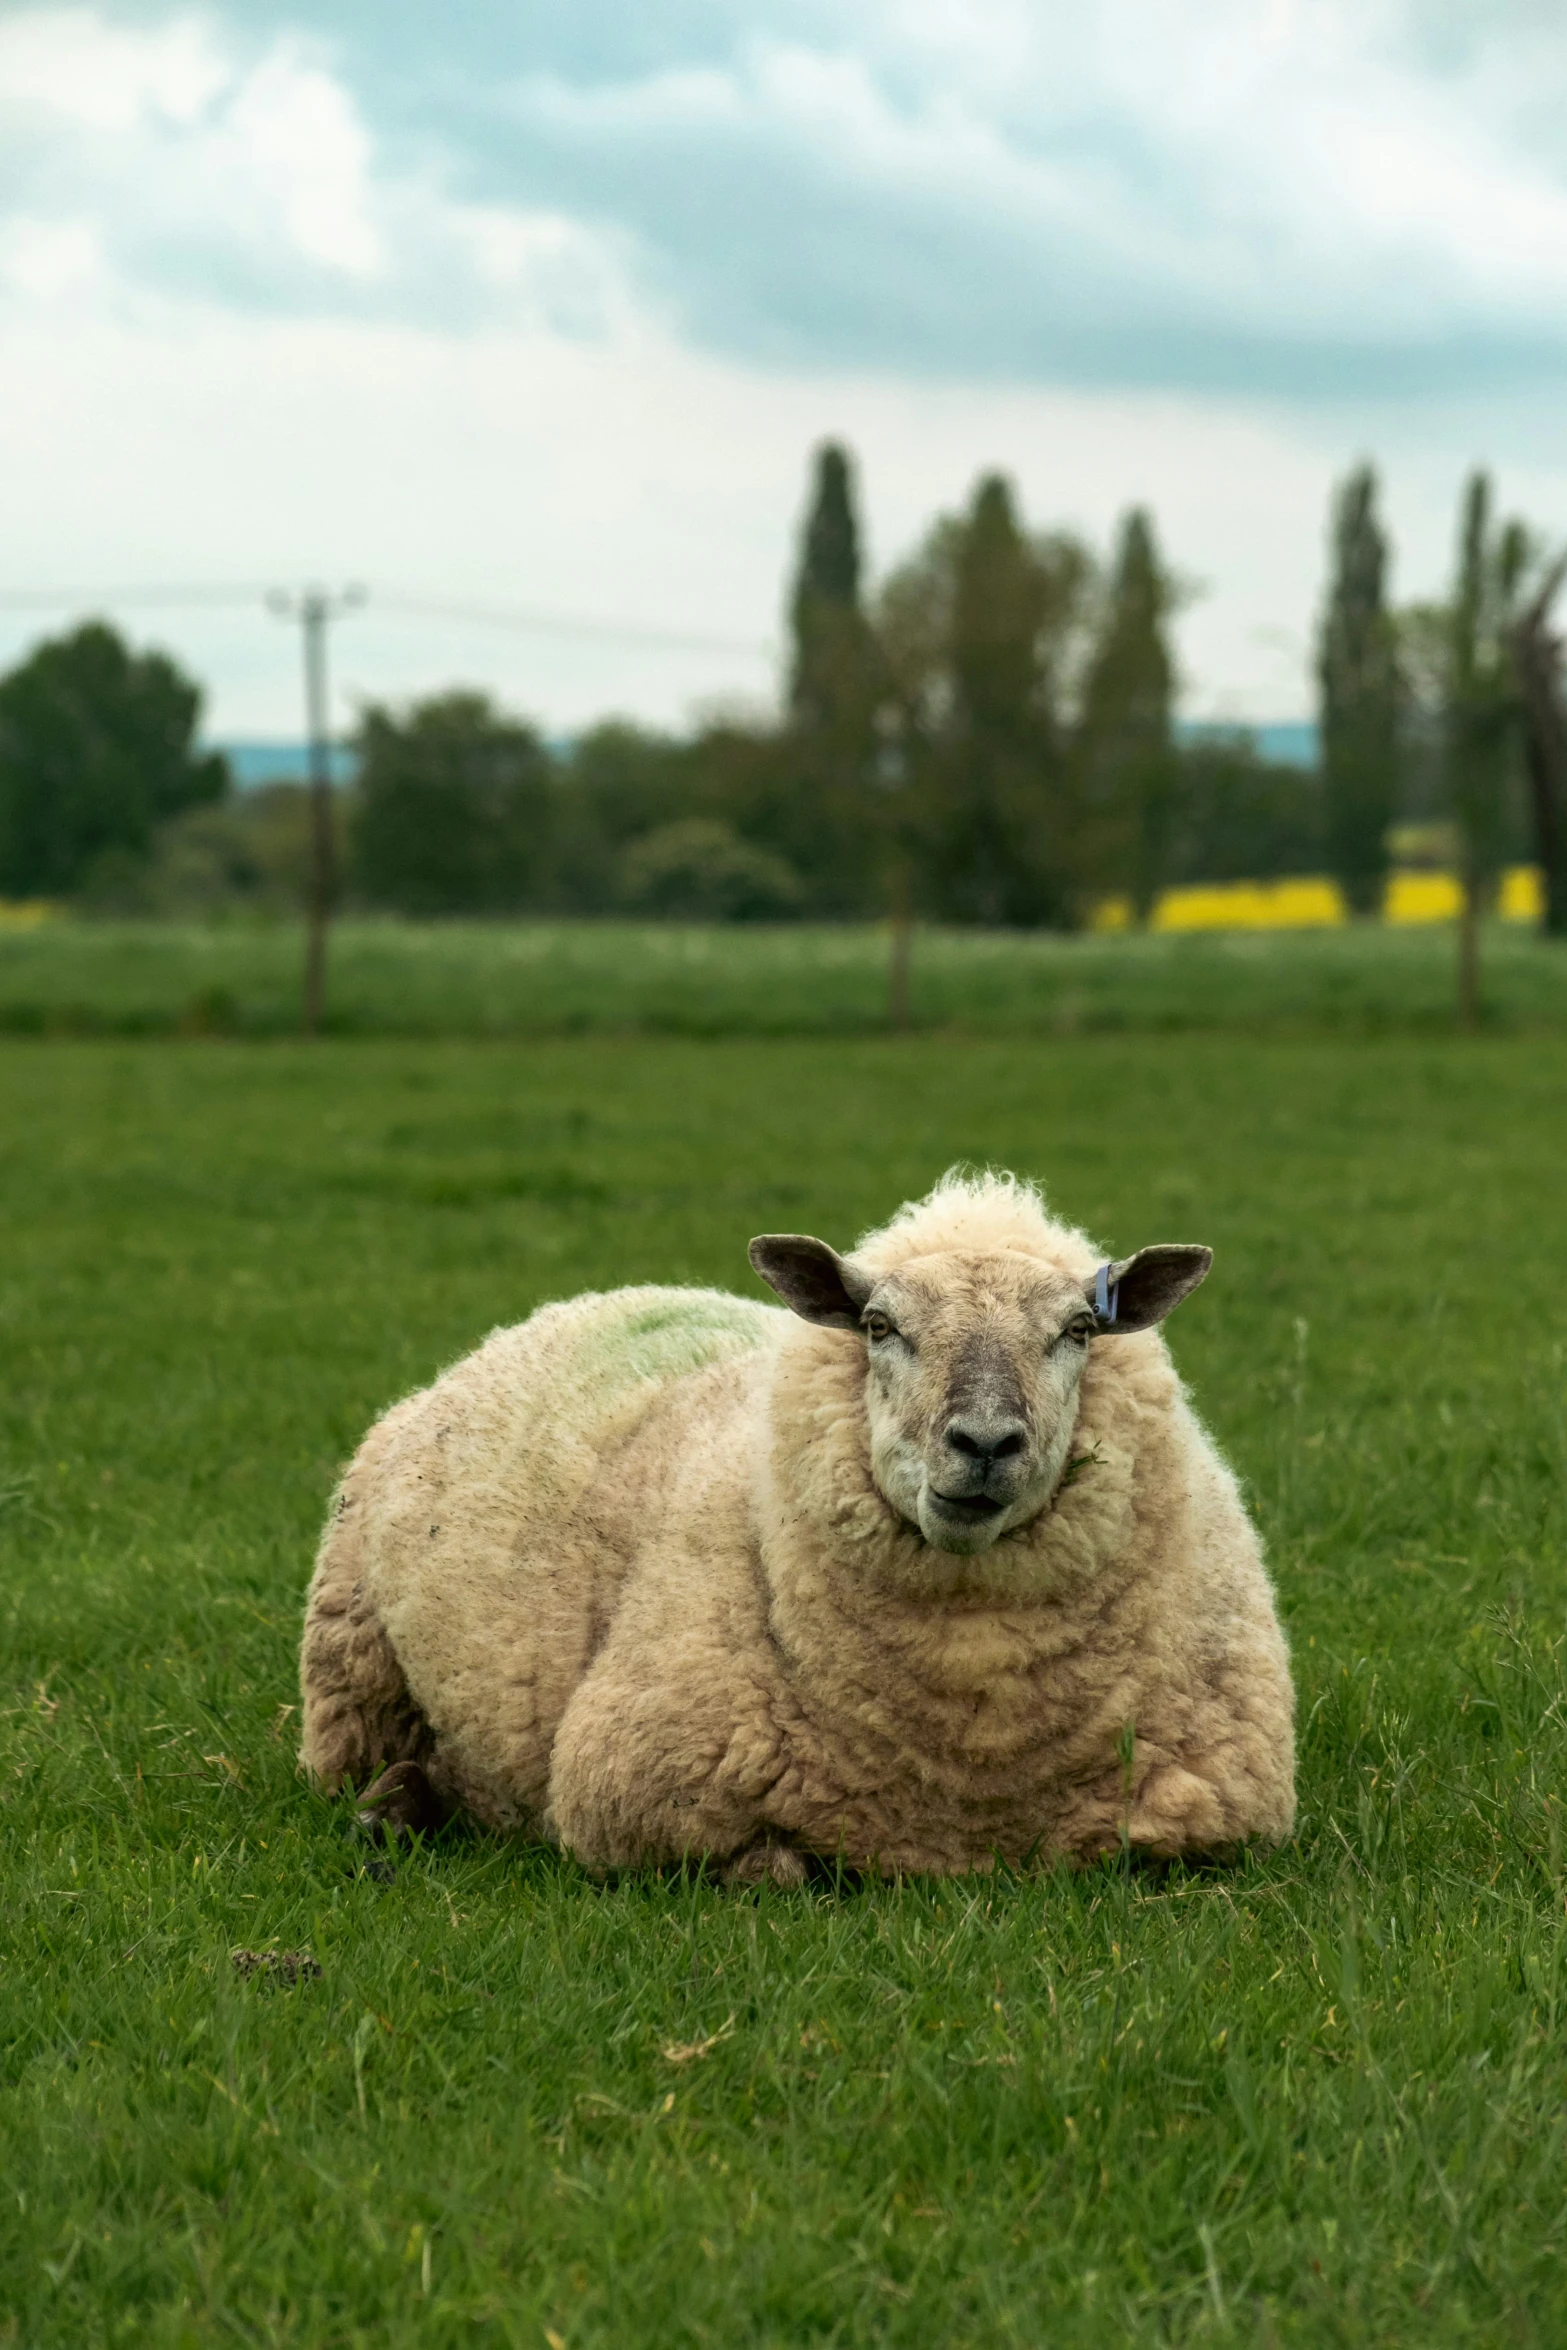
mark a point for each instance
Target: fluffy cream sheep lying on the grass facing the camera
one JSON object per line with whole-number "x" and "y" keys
{"x": 932, "y": 1571}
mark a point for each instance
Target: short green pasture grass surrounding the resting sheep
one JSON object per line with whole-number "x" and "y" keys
{"x": 1319, "y": 2100}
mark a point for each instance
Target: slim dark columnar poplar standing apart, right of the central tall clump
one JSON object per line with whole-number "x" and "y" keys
{"x": 1359, "y": 699}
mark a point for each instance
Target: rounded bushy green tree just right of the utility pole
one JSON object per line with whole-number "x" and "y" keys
{"x": 455, "y": 810}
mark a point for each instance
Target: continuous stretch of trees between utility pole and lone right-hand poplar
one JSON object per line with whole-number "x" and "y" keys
{"x": 990, "y": 739}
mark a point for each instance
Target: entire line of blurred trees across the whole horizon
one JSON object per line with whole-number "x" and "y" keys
{"x": 986, "y": 739}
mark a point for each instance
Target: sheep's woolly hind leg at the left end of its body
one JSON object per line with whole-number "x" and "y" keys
{"x": 358, "y": 1712}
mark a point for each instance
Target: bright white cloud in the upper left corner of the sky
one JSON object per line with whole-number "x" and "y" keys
{"x": 250, "y": 177}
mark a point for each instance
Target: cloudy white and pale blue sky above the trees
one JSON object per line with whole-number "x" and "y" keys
{"x": 542, "y": 307}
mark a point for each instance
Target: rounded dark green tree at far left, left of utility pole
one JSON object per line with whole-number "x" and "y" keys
{"x": 97, "y": 748}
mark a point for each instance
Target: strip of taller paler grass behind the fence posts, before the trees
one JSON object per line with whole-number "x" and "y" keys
{"x": 589, "y": 979}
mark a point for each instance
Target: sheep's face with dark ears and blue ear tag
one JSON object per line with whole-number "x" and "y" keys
{"x": 974, "y": 1367}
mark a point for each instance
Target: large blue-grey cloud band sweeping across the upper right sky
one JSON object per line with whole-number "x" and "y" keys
{"x": 969, "y": 222}
